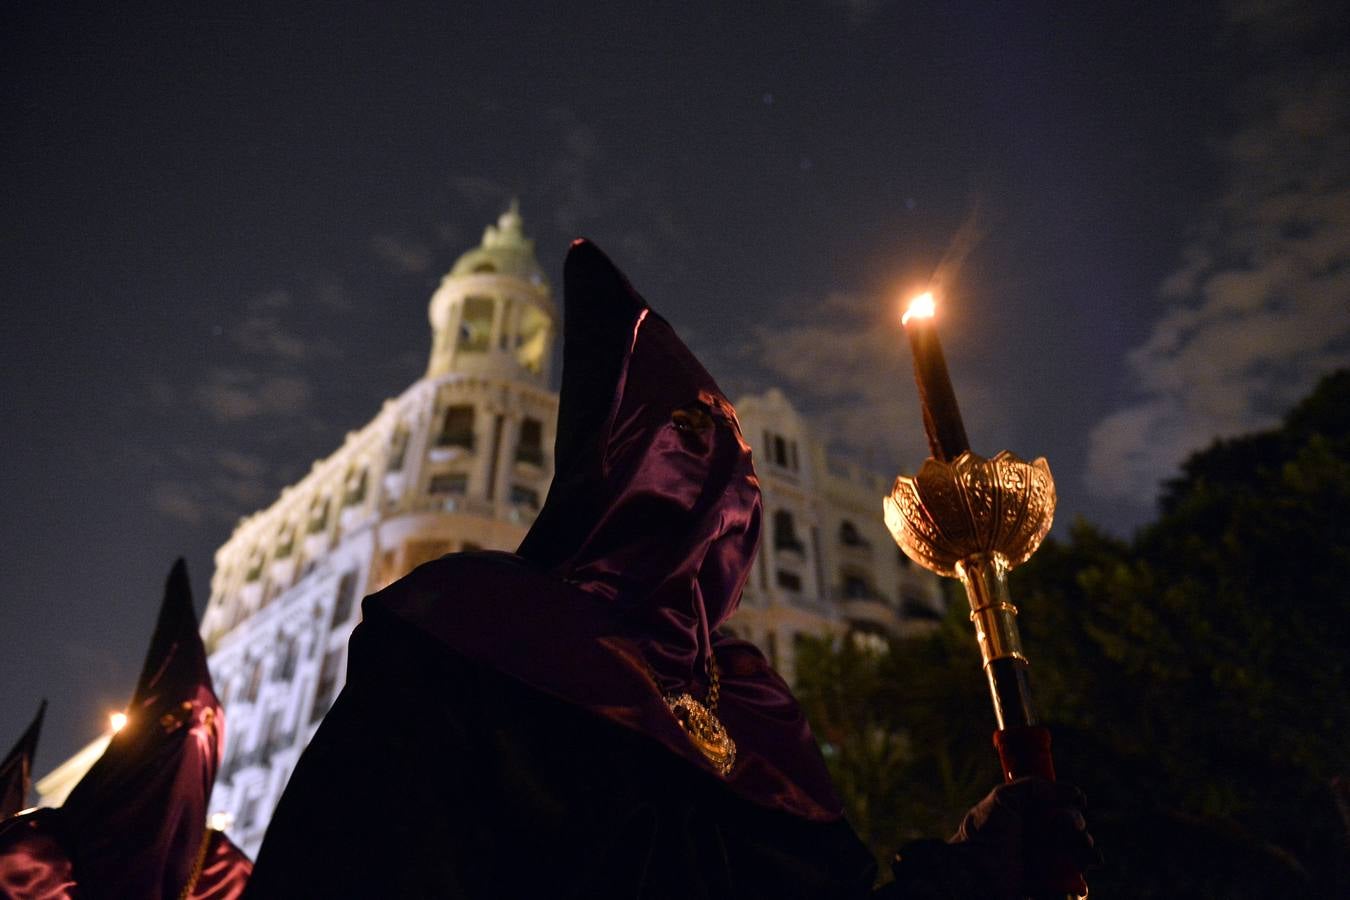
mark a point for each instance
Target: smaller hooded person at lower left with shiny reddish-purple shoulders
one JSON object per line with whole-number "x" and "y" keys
{"x": 136, "y": 826}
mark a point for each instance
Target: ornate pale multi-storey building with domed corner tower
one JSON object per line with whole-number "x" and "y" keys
{"x": 462, "y": 461}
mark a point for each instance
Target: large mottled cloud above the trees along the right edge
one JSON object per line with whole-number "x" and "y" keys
{"x": 1258, "y": 307}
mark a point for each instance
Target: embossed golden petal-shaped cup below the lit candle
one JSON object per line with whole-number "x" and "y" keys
{"x": 1001, "y": 507}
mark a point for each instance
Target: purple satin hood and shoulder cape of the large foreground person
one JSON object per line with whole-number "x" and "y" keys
{"x": 647, "y": 536}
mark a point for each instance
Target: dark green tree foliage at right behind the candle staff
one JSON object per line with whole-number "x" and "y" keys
{"x": 1195, "y": 679}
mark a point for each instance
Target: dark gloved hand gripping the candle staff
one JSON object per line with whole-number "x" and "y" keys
{"x": 1005, "y": 845}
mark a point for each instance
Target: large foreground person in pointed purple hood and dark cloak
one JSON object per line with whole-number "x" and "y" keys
{"x": 531, "y": 724}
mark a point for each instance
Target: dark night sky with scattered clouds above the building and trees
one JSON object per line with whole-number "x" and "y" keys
{"x": 221, "y": 233}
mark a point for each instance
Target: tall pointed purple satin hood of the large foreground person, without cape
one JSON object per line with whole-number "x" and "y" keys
{"x": 655, "y": 507}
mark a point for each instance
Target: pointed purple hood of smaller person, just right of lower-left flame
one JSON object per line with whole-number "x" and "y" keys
{"x": 138, "y": 818}
